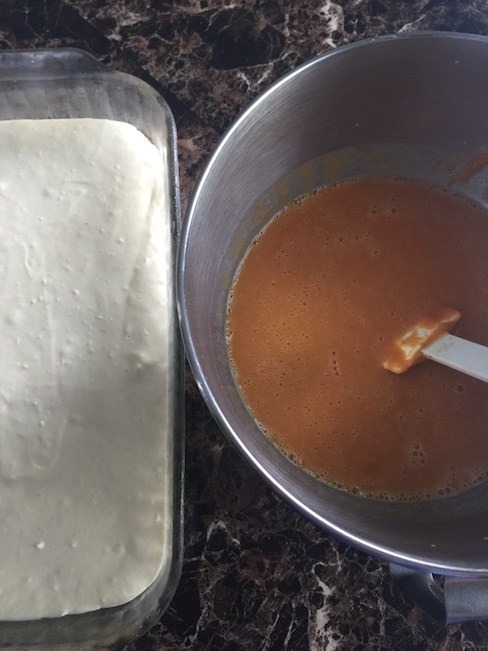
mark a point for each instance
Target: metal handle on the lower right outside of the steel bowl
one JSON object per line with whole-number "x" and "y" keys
{"x": 463, "y": 599}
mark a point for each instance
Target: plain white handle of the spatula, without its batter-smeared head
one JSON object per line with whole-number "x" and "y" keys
{"x": 460, "y": 354}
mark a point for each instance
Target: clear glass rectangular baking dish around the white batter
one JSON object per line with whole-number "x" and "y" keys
{"x": 70, "y": 83}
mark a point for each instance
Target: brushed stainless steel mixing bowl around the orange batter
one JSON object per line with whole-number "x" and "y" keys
{"x": 412, "y": 105}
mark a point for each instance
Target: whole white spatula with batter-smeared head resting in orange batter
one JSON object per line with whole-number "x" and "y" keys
{"x": 430, "y": 339}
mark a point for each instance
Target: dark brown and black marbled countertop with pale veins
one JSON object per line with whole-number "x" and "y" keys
{"x": 256, "y": 574}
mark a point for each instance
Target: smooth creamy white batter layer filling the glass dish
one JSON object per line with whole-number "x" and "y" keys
{"x": 84, "y": 317}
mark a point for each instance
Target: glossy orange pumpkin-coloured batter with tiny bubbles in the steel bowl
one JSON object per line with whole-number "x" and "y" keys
{"x": 321, "y": 295}
